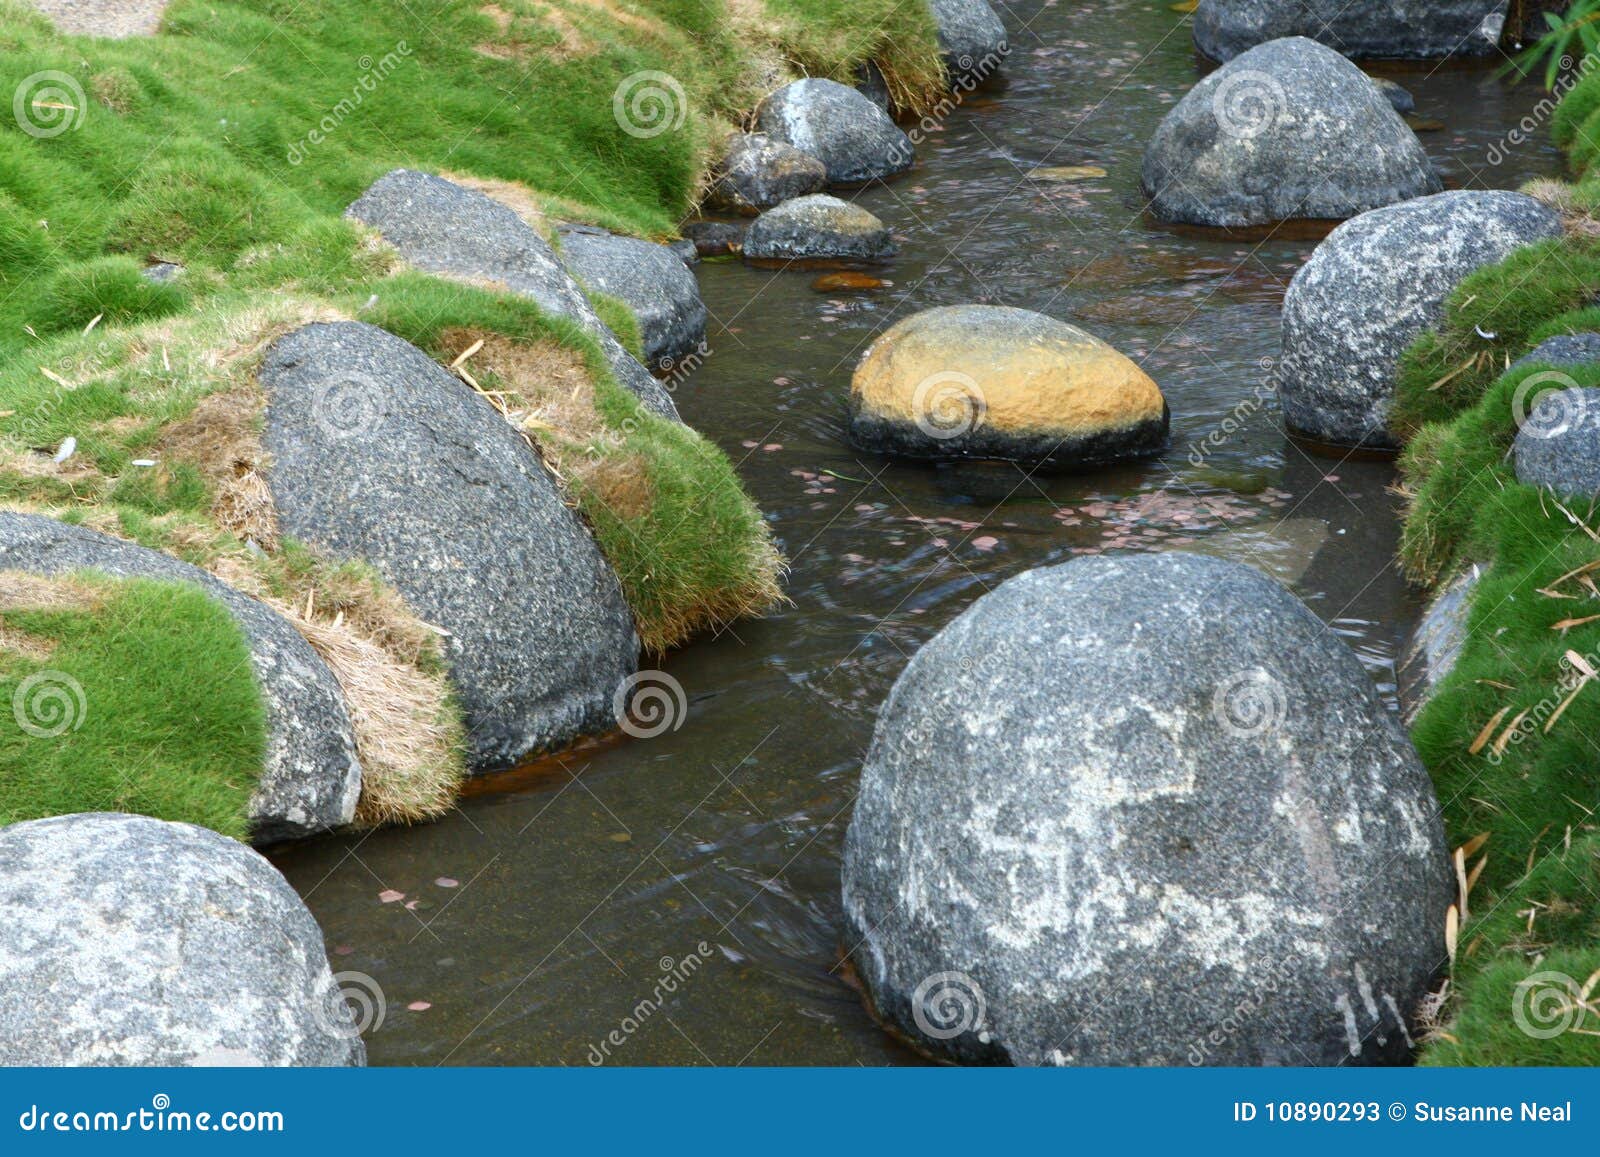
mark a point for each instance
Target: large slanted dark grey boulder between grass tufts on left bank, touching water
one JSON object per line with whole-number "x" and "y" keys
{"x": 382, "y": 455}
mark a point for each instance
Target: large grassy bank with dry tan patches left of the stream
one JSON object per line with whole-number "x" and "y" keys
{"x": 231, "y": 145}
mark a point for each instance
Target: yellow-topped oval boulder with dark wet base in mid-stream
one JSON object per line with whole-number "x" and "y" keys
{"x": 993, "y": 382}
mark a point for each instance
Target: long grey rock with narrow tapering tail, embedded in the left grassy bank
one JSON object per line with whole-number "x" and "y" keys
{"x": 447, "y": 230}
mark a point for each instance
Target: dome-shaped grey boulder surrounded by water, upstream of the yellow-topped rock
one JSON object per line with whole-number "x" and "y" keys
{"x": 1290, "y": 130}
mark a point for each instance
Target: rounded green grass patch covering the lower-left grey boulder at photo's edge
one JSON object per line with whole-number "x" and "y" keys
{"x": 153, "y": 694}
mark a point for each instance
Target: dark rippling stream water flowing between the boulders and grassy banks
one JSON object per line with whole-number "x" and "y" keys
{"x": 676, "y": 900}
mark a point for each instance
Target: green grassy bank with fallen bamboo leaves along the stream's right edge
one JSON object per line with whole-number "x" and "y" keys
{"x": 1513, "y": 735}
